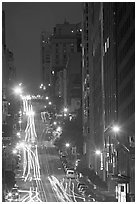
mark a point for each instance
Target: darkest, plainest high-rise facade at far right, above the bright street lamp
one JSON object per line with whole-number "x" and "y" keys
{"x": 126, "y": 67}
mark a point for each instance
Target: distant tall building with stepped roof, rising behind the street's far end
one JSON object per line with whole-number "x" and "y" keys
{"x": 66, "y": 39}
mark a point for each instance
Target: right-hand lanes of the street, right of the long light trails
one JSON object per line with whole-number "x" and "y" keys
{"x": 54, "y": 186}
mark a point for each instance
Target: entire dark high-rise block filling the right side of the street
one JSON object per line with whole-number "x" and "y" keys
{"x": 108, "y": 68}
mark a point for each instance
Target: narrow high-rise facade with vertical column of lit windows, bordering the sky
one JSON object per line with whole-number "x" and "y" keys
{"x": 92, "y": 81}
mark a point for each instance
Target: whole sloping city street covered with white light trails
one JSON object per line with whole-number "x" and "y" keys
{"x": 42, "y": 177}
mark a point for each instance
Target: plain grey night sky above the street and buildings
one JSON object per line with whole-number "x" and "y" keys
{"x": 24, "y": 23}
